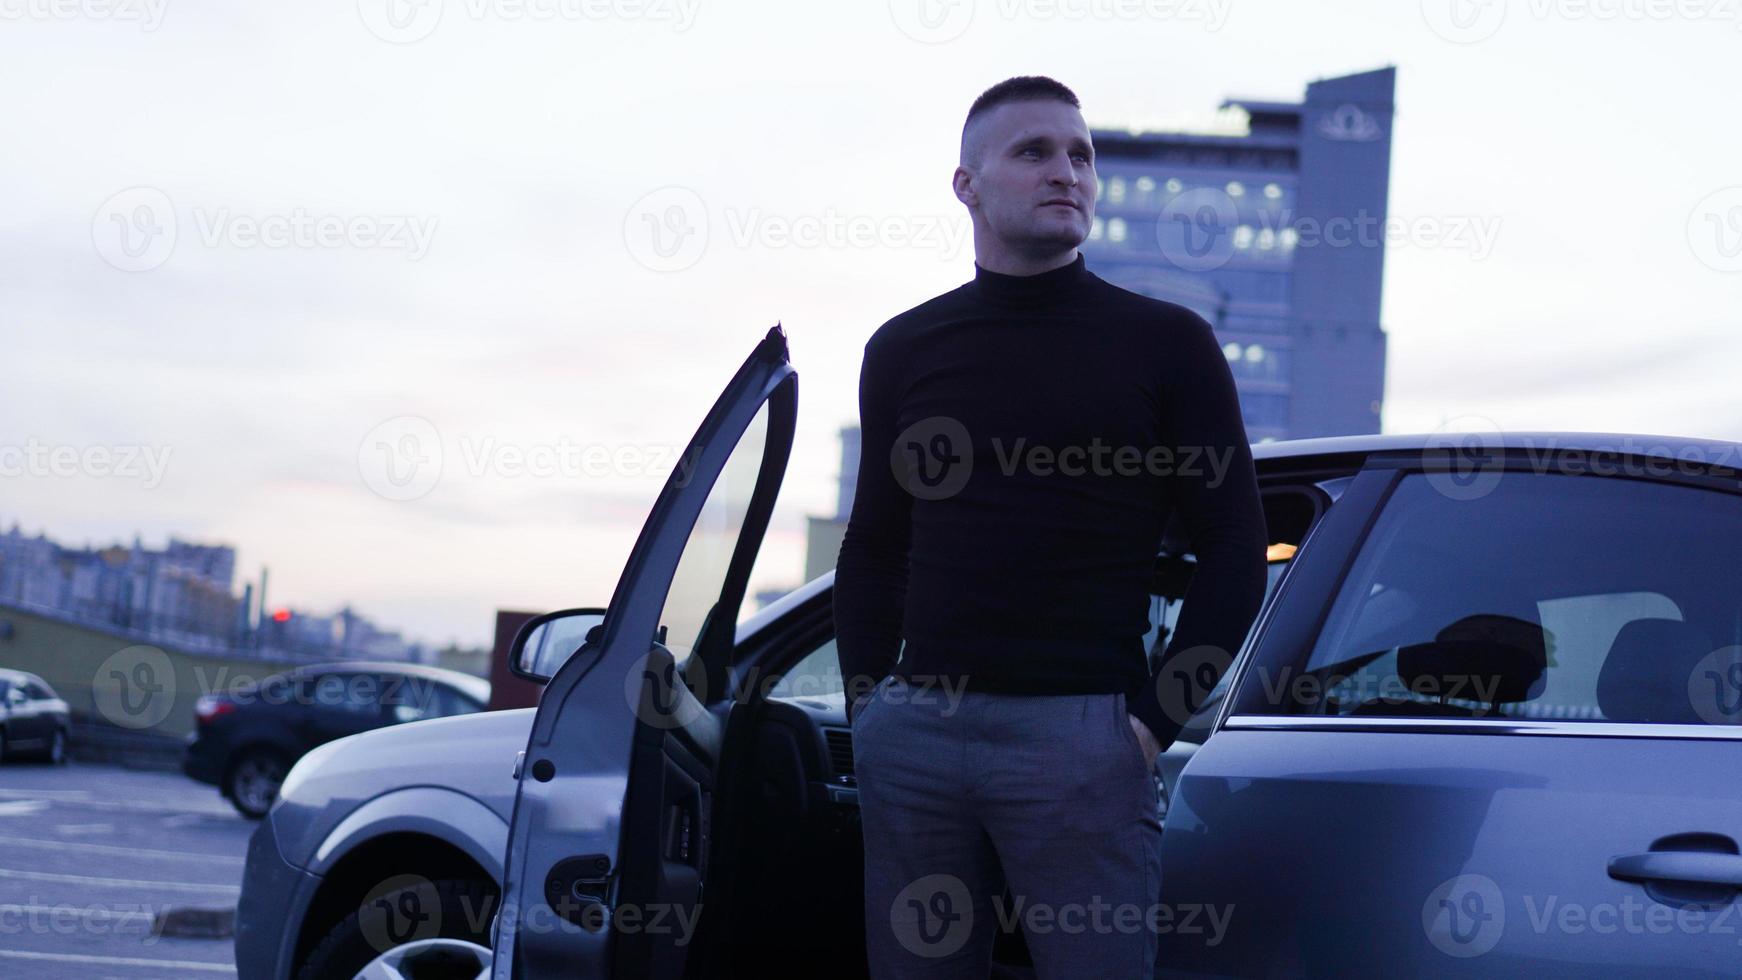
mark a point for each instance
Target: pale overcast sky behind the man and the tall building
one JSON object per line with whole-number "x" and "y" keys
{"x": 391, "y": 217}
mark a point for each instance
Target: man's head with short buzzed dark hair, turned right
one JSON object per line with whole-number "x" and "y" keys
{"x": 1027, "y": 173}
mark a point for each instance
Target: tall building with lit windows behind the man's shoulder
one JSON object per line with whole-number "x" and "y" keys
{"x": 1274, "y": 232}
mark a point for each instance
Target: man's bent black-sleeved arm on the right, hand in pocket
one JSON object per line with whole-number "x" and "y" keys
{"x": 1217, "y": 493}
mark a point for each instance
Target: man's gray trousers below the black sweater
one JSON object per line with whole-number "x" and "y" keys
{"x": 962, "y": 795}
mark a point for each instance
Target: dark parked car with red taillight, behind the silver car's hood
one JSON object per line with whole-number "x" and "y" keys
{"x": 250, "y": 739}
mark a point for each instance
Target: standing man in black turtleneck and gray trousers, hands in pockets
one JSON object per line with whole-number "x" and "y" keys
{"x": 1025, "y": 440}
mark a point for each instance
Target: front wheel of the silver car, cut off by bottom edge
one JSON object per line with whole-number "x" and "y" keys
{"x": 410, "y": 916}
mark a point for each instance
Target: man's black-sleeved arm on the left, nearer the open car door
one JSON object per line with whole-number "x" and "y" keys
{"x": 872, "y": 570}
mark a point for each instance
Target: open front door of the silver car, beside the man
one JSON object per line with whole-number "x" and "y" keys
{"x": 611, "y": 836}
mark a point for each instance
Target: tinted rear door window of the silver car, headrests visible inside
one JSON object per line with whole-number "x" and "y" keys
{"x": 1548, "y": 598}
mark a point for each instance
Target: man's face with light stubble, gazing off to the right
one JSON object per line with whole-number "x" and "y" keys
{"x": 1036, "y": 182}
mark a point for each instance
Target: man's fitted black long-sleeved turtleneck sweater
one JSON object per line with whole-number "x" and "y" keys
{"x": 1025, "y": 441}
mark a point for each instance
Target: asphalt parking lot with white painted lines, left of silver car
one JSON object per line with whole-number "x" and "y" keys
{"x": 91, "y": 856}
